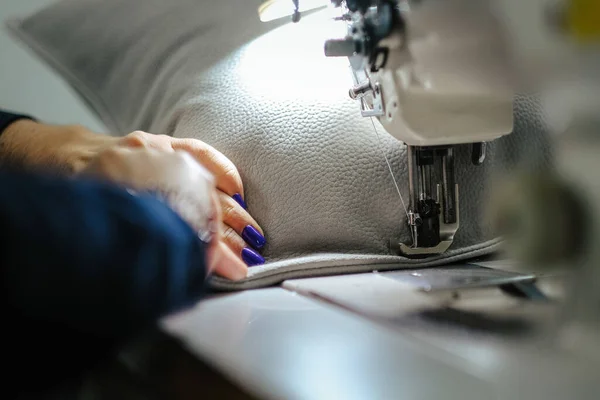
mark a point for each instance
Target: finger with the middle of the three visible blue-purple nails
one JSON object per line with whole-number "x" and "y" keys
{"x": 236, "y": 217}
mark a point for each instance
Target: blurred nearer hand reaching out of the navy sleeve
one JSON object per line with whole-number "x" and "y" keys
{"x": 184, "y": 184}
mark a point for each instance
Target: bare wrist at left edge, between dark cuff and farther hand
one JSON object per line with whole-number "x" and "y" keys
{"x": 65, "y": 149}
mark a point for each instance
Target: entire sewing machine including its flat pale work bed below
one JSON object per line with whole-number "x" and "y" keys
{"x": 373, "y": 335}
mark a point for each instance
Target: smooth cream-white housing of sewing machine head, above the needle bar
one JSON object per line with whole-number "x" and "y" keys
{"x": 447, "y": 80}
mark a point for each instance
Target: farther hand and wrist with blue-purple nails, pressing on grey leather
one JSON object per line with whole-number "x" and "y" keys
{"x": 71, "y": 149}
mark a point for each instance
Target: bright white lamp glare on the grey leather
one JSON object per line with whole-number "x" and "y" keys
{"x": 288, "y": 63}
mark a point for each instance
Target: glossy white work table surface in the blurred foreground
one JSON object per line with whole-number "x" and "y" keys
{"x": 329, "y": 344}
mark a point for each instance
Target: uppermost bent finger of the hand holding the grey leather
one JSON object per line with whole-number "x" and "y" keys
{"x": 226, "y": 175}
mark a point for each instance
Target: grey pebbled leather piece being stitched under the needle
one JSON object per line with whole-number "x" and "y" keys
{"x": 313, "y": 169}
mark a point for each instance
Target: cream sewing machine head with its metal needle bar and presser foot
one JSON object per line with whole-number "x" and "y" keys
{"x": 417, "y": 68}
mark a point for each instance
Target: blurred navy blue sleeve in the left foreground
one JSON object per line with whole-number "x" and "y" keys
{"x": 85, "y": 266}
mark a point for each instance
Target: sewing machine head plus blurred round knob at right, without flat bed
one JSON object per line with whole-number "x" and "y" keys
{"x": 441, "y": 73}
